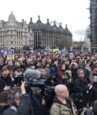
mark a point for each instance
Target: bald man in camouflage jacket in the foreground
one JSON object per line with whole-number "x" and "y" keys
{"x": 62, "y": 105}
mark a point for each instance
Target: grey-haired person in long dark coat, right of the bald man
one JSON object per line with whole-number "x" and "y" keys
{"x": 80, "y": 88}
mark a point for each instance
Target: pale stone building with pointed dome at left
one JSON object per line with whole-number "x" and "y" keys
{"x": 14, "y": 34}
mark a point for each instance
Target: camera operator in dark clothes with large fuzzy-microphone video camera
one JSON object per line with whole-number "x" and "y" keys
{"x": 35, "y": 86}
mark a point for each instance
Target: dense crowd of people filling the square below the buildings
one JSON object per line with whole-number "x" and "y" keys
{"x": 60, "y": 83}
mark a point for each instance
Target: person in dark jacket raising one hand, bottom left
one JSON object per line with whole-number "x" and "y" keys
{"x": 20, "y": 103}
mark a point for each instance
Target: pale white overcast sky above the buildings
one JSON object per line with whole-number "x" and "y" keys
{"x": 71, "y": 12}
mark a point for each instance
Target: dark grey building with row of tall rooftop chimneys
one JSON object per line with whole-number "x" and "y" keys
{"x": 49, "y": 36}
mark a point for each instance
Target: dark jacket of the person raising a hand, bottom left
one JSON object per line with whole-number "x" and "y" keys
{"x": 23, "y": 109}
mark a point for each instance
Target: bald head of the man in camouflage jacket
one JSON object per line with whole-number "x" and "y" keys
{"x": 61, "y": 91}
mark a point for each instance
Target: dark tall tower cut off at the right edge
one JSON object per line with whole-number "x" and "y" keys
{"x": 93, "y": 24}
